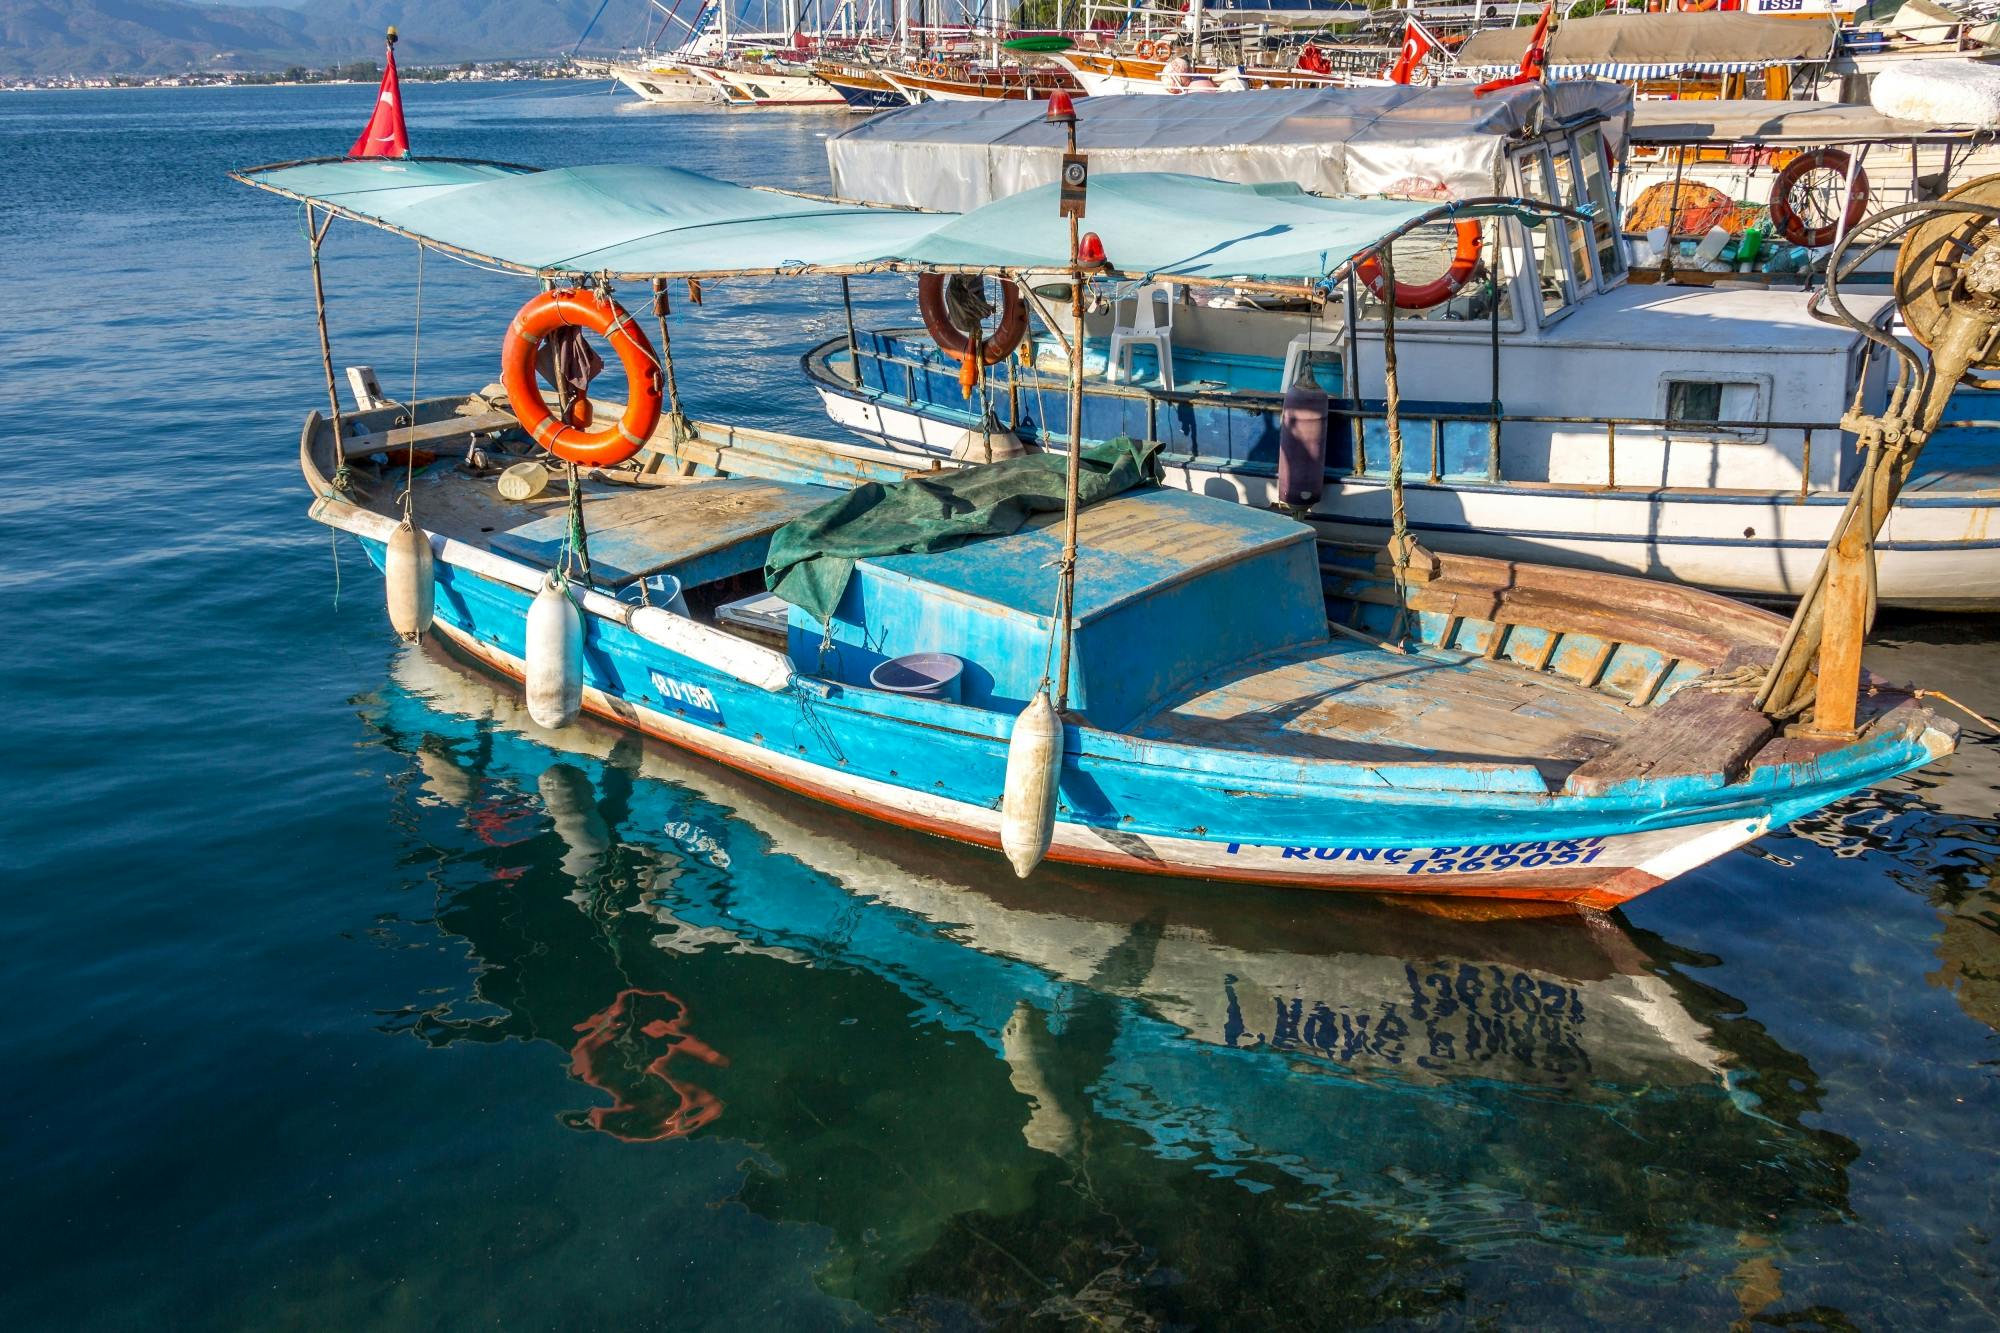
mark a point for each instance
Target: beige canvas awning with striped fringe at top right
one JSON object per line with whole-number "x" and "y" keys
{"x": 1631, "y": 47}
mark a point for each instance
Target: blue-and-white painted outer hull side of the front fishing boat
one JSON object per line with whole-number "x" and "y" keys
{"x": 1179, "y": 810}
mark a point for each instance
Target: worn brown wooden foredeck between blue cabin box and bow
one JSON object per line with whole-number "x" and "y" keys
{"x": 1355, "y": 704}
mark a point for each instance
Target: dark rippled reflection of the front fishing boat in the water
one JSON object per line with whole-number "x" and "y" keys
{"x": 1087, "y": 1094}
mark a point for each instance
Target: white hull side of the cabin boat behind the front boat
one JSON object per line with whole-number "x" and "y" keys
{"x": 1937, "y": 555}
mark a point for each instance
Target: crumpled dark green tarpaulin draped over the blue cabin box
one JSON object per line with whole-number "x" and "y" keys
{"x": 813, "y": 555}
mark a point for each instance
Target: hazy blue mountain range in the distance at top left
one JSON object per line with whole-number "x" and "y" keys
{"x": 171, "y": 37}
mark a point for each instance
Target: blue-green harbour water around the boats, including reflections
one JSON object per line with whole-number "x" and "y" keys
{"x": 337, "y": 998}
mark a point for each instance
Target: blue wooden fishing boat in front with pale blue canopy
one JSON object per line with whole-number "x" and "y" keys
{"x": 1239, "y": 702}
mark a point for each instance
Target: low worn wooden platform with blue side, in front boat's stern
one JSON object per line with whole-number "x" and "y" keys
{"x": 697, "y": 531}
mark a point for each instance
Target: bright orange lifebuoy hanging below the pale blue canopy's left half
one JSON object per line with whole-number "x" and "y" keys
{"x": 569, "y": 441}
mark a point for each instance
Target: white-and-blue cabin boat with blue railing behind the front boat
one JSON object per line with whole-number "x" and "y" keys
{"x": 1561, "y": 405}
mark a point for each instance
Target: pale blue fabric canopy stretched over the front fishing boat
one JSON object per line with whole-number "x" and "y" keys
{"x": 665, "y": 223}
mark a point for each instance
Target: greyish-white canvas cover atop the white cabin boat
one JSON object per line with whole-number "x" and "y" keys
{"x": 1331, "y": 141}
